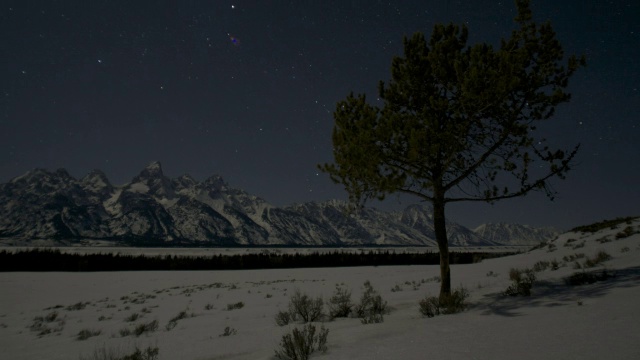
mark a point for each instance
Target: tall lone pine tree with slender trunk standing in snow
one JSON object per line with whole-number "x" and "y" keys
{"x": 457, "y": 122}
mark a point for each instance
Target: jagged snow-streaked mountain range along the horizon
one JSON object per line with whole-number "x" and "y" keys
{"x": 156, "y": 210}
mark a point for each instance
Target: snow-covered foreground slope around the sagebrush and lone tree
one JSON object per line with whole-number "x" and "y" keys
{"x": 596, "y": 321}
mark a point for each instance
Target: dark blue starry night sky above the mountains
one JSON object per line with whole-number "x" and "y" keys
{"x": 246, "y": 90}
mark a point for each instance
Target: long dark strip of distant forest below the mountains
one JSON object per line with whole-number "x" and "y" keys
{"x": 55, "y": 260}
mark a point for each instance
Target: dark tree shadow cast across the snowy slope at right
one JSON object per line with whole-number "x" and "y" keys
{"x": 558, "y": 293}
